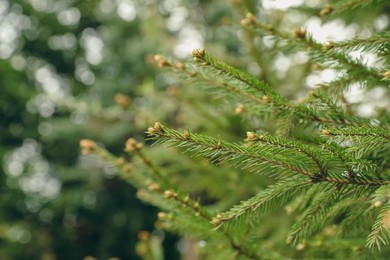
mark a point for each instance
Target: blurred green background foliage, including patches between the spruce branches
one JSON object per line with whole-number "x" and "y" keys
{"x": 74, "y": 69}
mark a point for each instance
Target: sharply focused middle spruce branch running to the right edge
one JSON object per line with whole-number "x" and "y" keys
{"x": 263, "y": 161}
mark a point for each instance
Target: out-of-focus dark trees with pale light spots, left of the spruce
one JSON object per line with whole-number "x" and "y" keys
{"x": 76, "y": 69}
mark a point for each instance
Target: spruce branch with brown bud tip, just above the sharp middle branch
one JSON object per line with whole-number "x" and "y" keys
{"x": 259, "y": 98}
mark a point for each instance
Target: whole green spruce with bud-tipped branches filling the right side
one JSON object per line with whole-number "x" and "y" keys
{"x": 309, "y": 179}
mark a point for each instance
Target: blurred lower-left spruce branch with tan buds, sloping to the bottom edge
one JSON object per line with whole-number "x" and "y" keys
{"x": 197, "y": 218}
